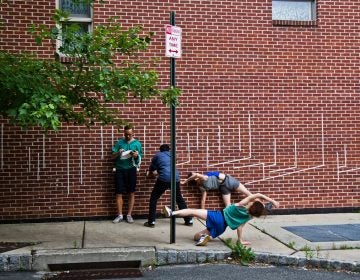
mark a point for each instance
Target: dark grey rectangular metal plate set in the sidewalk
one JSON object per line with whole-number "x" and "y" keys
{"x": 327, "y": 233}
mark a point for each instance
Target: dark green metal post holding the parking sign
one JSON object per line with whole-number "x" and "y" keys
{"x": 173, "y": 141}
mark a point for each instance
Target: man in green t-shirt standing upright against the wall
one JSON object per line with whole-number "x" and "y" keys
{"x": 127, "y": 154}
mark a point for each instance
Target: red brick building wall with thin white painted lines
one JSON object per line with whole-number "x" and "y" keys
{"x": 242, "y": 78}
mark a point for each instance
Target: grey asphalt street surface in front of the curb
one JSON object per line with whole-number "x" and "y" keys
{"x": 214, "y": 271}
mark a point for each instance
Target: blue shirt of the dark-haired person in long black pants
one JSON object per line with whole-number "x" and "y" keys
{"x": 161, "y": 162}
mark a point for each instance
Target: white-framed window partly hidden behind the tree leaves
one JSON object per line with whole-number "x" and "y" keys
{"x": 80, "y": 13}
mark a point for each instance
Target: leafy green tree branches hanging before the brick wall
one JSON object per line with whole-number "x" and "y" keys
{"x": 45, "y": 93}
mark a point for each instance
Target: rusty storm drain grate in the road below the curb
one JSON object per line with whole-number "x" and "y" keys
{"x": 95, "y": 274}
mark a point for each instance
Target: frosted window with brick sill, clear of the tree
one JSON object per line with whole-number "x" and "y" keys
{"x": 296, "y": 10}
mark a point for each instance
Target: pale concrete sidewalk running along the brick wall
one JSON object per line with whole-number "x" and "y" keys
{"x": 103, "y": 241}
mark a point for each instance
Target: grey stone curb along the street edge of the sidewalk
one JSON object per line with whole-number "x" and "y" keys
{"x": 27, "y": 262}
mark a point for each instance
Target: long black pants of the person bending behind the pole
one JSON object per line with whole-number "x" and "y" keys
{"x": 159, "y": 188}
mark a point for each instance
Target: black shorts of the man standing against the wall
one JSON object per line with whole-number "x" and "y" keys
{"x": 125, "y": 180}
